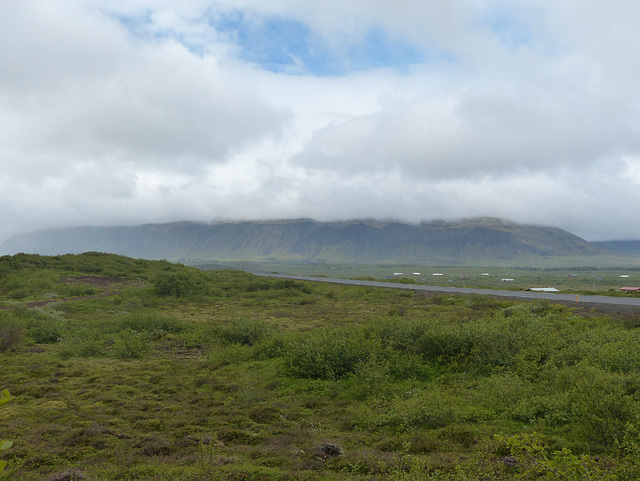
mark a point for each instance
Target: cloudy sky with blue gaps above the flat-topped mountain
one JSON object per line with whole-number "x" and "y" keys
{"x": 126, "y": 112}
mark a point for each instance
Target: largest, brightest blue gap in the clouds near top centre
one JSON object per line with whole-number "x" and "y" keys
{"x": 286, "y": 45}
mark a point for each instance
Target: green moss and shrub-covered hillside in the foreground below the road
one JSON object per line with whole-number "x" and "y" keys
{"x": 130, "y": 369}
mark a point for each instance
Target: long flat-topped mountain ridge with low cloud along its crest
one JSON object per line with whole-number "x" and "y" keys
{"x": 472, "y": 241}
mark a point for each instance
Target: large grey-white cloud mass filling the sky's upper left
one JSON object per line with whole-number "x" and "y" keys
{"x": 85, "y": 93}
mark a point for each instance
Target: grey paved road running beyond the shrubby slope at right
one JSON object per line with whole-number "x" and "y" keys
{"x": 619, "y": 301}
